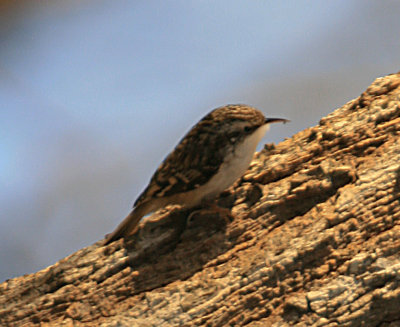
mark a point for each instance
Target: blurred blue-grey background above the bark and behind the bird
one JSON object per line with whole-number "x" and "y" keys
{"x": 94, "y": 94}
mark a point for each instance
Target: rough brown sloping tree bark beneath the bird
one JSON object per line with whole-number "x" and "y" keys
{"x": 315, "y": 241}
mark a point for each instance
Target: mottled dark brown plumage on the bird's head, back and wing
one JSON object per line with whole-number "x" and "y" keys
{"x": 200, "y": 153}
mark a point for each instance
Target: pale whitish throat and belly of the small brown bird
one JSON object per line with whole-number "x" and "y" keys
{"x": 234, "y": 166}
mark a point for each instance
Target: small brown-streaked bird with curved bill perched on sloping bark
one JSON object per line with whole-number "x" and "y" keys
{"x": 208, "y": 159}
